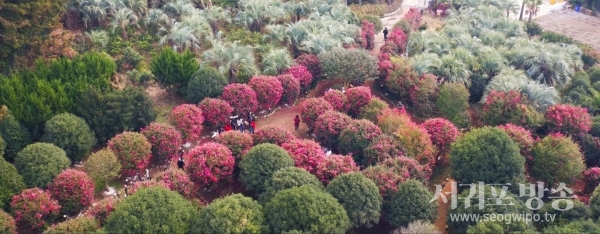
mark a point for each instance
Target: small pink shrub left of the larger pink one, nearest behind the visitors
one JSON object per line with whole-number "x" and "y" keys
{"x": 215, "y": 111}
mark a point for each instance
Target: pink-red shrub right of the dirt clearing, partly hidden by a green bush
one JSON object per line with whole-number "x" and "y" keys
{"x": 328, "y": 127}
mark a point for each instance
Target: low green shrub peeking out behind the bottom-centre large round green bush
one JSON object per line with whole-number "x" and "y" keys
{"x": 286, "y": 178}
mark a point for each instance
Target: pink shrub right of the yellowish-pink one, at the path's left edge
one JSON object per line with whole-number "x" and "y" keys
{"x": 165, "y": 140}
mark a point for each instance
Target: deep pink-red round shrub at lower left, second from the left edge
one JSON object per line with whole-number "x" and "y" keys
{"x": 73, "y": 189}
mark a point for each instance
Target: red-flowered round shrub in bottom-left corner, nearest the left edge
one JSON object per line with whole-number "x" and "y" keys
{"x": 34, "y": 208}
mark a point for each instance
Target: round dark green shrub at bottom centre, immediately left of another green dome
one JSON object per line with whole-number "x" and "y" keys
{"x": 359, "y": 196}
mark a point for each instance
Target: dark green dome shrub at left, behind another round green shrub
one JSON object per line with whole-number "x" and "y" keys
{"x": 71, "y": 134}
